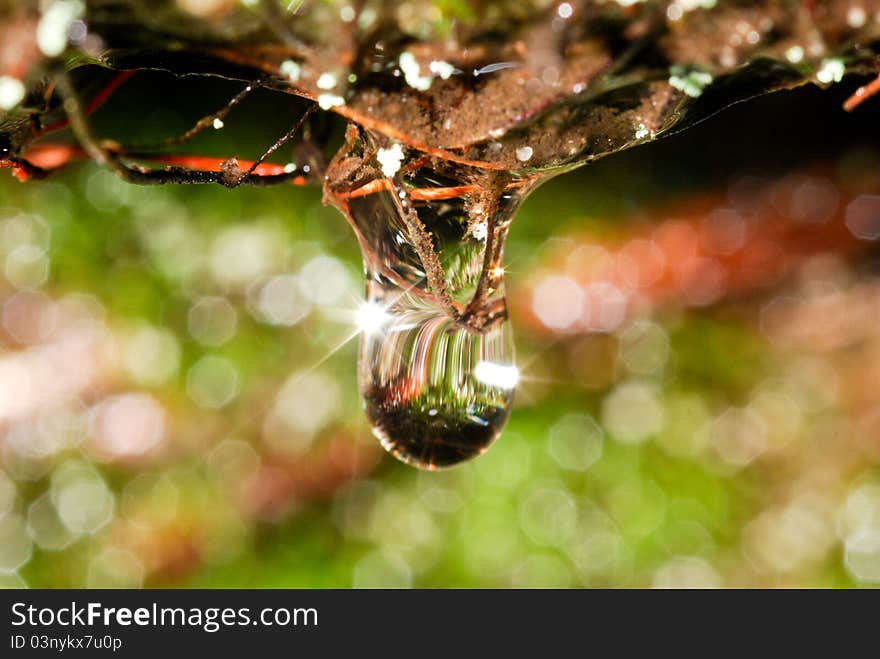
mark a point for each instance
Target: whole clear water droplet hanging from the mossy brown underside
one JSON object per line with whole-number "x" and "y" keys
{"x": 436, "y": 365}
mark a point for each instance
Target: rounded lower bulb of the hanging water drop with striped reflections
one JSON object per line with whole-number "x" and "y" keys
{"x": 422, "y": 389}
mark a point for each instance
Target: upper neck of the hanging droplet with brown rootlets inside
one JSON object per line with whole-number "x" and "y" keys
{"x": 422, "y": 195}
